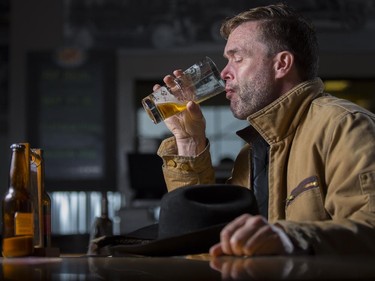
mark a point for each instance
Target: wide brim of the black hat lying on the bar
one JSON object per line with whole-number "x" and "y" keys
{"x": 139, "y": 243}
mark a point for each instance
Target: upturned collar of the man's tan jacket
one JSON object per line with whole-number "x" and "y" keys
{"x": 280, "y": 118}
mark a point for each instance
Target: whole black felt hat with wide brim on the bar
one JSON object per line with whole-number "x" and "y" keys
{"x": 190, "y": 222}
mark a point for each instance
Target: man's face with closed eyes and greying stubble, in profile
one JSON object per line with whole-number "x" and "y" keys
{"x": 249, "y": 73}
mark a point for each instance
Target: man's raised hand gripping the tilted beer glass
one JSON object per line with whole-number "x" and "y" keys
{"x": 189, "y": 126}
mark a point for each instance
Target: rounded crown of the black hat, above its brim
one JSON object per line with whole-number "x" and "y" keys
{"x": 193, "y": 208}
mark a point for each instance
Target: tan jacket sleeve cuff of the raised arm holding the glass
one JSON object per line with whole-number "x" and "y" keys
{"x": 183, "y": 171}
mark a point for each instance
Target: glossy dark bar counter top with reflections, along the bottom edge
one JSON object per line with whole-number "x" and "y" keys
{"x": 199, "y": 267}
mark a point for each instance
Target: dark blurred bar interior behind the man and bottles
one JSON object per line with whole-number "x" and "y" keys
{"x": 73, "y": 73}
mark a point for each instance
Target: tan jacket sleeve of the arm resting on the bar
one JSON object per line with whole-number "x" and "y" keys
{"x": 348, "y": 192}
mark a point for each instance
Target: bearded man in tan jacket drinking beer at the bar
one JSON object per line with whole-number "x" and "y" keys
{"x": 316, "y": 189}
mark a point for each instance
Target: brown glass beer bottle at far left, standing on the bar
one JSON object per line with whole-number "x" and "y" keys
{"x": 17, "y": 208}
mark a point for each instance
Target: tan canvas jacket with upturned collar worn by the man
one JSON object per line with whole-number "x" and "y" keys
{"x": 321, "y": 169}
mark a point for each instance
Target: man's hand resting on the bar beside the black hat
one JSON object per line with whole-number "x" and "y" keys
{"x": 251, "y": 235}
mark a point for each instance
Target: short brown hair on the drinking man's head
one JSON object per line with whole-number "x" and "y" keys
{"x": 282, "y": 29}
